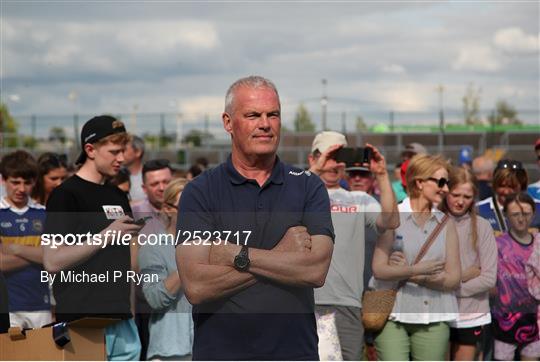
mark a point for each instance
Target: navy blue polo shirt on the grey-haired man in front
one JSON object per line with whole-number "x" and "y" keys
{"x": 267, "y": 320}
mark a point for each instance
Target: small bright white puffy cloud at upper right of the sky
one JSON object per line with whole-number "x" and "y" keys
{"x": 477, "y": 58}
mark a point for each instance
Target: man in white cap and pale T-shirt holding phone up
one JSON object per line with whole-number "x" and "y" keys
{"x": 351, "y": 213}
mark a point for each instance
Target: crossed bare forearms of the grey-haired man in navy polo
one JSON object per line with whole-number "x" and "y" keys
{"x": 299, "y": 259}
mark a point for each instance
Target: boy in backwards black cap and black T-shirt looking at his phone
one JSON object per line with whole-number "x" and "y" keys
{"x": 85, "y": 204}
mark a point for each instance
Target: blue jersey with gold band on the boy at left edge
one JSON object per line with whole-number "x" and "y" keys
{"x": 24, "y": 226}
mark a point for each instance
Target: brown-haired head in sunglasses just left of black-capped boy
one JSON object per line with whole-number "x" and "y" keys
{"x": 52, "y": 171}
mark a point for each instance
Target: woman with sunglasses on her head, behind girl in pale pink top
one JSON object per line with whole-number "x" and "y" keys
{"x": 509, "y": 178}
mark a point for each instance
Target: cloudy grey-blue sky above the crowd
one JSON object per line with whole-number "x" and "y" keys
{"x": 88, "y": 57}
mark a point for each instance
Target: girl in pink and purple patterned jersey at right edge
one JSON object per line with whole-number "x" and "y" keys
{"x": 515, "y": 309}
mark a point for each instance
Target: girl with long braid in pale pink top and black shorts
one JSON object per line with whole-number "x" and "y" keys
{"x": 478, "y": 255}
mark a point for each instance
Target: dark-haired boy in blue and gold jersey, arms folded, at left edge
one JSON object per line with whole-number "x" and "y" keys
{"x": 21, "y": 256}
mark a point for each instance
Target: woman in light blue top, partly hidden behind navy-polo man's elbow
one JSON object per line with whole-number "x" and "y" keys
{"x": 170, "y": 326}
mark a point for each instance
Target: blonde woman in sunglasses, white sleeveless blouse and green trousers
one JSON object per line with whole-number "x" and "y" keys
{"x": 425, "y": 301}
